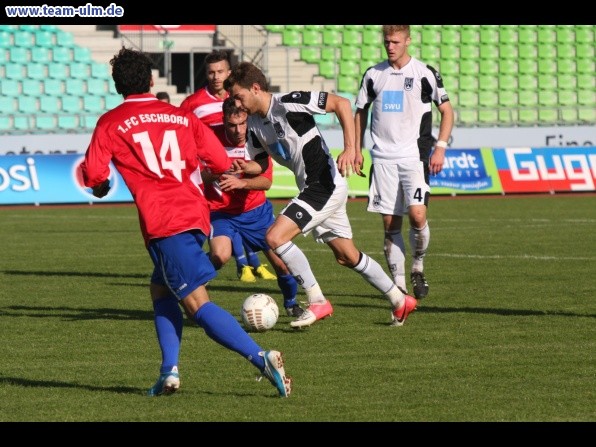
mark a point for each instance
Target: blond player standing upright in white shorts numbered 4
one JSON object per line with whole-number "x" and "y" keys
{"x": 401, "y": 91}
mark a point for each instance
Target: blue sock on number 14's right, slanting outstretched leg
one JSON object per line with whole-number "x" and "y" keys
{"x": 222, "y": 327}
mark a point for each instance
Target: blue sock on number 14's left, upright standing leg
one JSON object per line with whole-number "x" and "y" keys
{"x": 168, "y": 320}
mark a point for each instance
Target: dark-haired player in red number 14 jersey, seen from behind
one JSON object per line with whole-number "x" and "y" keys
{"x": 156, "y": 148}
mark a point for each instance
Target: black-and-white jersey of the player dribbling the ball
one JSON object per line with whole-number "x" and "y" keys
{"x": 290, "y": 135}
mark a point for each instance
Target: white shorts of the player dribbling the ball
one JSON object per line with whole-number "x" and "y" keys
{"x": 327, "y": 224}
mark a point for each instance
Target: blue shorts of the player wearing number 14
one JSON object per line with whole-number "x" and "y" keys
{"x": 180, "y": 262}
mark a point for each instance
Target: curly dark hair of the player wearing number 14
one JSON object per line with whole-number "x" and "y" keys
{"x": 131, "y": 71}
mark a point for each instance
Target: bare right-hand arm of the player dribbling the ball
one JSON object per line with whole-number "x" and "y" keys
{"x": 346, "y": 161}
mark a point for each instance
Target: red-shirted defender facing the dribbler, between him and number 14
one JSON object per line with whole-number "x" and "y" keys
{"x": 240, "y": 209}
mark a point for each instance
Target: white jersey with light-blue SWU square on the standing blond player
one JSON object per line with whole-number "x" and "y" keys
{"x": 401, "y": 125}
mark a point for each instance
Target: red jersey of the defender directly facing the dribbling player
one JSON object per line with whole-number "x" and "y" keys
{"x": 236, "y": 201}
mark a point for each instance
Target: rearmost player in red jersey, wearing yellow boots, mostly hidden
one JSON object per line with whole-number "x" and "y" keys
{"x": 206, "y": 103}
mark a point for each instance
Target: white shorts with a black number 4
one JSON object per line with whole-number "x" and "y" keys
{"x": 394, "y": 187}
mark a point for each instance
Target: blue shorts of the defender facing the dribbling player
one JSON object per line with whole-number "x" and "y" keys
{"x": 251, "y": 225}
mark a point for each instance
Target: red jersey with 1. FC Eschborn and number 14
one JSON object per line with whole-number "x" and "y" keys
{"x": 156, "y": 148}
